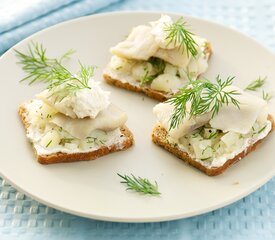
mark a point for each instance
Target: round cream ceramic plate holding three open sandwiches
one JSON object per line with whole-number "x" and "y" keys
{"x": 92, "y": 188}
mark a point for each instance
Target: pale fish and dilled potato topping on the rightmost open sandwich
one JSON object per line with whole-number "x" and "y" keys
{"x": 212, "y": 141}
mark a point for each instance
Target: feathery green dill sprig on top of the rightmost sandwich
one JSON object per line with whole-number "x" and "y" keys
{"x": 203, "y": 96}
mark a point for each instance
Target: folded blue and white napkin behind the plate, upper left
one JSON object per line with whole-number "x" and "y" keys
{"x": 21, "y": 18}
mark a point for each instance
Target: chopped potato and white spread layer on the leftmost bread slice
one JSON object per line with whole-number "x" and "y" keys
{"x": 47, "y": 137}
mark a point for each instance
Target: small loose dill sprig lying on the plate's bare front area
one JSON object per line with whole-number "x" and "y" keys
{"x": 138, "y": 184}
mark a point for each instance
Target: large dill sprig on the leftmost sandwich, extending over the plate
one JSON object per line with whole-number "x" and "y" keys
{"x": 40, "y": 68}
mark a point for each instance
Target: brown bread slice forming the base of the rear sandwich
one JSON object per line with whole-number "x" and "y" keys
{"x": 158, "y": 95}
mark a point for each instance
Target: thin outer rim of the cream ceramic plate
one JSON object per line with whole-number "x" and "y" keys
{"x": 135, "y": 219}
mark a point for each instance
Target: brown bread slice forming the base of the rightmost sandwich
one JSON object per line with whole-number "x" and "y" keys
{"x": 159, "y": 137}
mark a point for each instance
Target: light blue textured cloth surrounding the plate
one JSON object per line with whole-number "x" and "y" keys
{"x": 250, "y": 218}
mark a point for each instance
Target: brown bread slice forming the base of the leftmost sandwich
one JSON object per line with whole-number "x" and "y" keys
{"x": 59, "y": 157}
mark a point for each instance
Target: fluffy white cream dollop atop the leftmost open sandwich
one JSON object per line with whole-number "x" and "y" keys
{"x": 84, "y": 103}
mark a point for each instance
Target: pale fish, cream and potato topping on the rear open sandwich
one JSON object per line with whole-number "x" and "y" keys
{"x": 132, "y": 60}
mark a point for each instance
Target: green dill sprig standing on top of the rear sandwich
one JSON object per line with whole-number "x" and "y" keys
{"x": 178, "y": 33}
